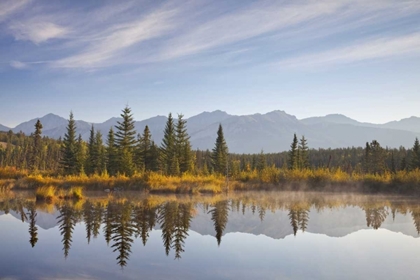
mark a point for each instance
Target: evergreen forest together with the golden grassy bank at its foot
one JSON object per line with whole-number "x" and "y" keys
{"x": 131, "y": 159}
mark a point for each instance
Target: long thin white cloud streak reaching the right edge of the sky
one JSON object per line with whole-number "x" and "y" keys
{"x": 370, "y": 50}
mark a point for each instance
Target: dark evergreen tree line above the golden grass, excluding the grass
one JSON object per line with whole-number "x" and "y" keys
{"x": 128, "y": 152}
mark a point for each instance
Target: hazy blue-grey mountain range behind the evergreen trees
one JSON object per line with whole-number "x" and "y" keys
{"x": 270, "y": 132}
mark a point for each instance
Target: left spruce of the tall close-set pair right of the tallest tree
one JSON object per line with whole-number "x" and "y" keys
{"x": 167, "y": 149}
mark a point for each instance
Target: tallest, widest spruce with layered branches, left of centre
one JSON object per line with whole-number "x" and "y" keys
{"x": 125, "y": 141}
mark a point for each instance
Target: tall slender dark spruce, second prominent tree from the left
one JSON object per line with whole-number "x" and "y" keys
{"x": 68, "y": 150}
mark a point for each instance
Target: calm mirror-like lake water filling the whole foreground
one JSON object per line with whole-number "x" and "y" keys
{"x": 243, "y": 236}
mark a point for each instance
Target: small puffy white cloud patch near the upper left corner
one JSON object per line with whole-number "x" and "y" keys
{"x": 37, "y": 31}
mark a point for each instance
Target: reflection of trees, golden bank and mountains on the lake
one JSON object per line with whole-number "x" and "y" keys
{"x": 123, "y": 219}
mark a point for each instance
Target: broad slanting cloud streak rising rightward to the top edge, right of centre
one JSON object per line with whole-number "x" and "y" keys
{"x": 253, "y": 21}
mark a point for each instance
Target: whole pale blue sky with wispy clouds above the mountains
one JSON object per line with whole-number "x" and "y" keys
{"x": 309, "y": 58}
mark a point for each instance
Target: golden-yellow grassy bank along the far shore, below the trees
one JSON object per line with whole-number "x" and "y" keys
{"x": 268, "y": 179}
